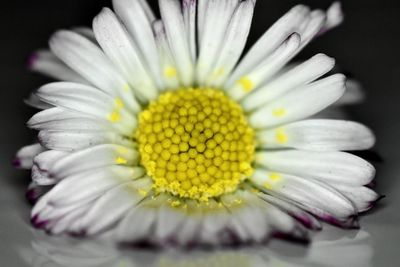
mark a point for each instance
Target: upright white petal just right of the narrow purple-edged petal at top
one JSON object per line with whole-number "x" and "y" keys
{"x": 218, "y": 15}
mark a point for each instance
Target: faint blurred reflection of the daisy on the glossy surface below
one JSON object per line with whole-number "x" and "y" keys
{"x": 328, "y": 249}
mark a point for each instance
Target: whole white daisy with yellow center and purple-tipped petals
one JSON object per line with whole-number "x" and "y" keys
{"x": 161, "y": 132}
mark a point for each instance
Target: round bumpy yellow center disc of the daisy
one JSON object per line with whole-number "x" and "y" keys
{"x": 195, "y": 143}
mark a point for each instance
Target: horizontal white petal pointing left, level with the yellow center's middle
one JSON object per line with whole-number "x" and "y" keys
{"x": 77, "y": 140}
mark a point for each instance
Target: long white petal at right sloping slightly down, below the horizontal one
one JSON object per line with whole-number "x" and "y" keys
{"x": 329, "y": 167}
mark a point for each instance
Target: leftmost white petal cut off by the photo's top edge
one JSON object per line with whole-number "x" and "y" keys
{"x": 135, "y": 16}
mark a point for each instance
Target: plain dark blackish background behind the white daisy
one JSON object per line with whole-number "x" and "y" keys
{"x": 367, "y": 45}
